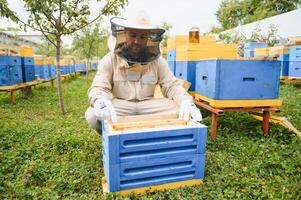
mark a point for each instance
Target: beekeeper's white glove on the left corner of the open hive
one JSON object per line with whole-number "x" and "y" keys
{"x": 103, "y": 109}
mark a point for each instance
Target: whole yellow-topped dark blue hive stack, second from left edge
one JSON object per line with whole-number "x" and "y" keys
{"x": 27, "y": 62}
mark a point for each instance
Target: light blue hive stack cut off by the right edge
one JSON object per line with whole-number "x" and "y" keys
{"x": 294, "y": 71}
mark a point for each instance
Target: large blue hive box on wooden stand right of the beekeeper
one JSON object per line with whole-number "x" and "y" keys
{"x": 238, "y": 79}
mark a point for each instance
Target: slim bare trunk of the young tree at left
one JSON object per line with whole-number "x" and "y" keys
{"x": 58, "y": 74}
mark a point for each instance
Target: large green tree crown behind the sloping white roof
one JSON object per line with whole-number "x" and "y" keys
{"x": 232, "y": 13}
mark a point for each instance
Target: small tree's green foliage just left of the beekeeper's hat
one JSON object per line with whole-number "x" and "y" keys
{"x": 90, "y": 42}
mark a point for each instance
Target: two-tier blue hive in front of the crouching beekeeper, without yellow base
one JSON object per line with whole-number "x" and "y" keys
{"x": 144, "y": 157}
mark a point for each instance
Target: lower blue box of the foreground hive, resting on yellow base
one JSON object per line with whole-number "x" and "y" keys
{"x": 156, "y": 171}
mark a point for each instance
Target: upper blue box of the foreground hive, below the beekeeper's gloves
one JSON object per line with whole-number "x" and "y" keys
{"x": 145, "y": 145}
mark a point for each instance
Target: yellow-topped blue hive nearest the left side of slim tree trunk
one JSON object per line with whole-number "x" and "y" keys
{"x": 41, "y": 67}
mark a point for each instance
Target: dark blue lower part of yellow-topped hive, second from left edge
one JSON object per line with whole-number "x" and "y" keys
{"x": 28, "y": 73}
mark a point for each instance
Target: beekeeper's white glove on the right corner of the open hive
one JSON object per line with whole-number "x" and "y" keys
{"x": 189, "y": 109}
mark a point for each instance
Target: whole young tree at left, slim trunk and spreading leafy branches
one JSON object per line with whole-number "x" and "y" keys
{"x": 57, "y": 18}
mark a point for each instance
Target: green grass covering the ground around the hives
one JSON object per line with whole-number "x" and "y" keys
{"x": 46, "y": 156}
